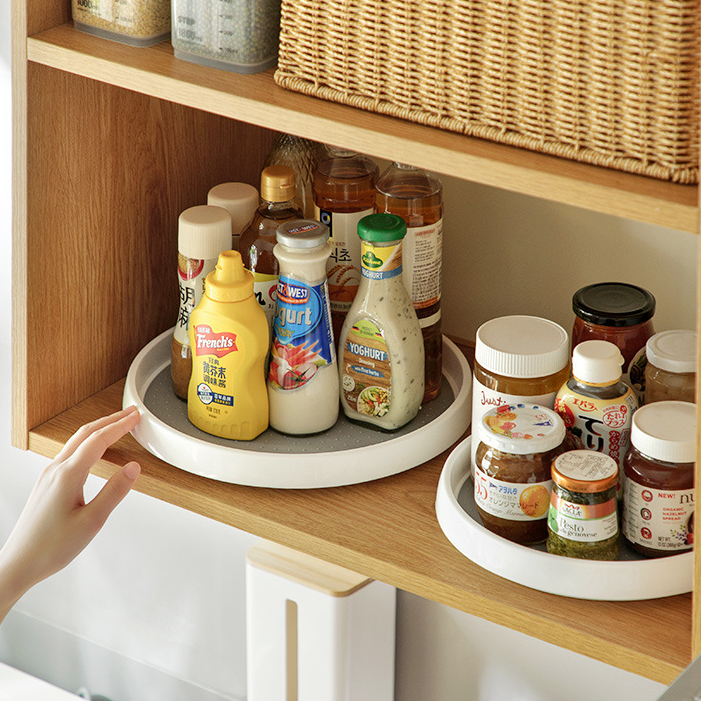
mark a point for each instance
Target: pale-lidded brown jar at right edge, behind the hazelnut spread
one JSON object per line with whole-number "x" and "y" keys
{"x": 671, "y": 367}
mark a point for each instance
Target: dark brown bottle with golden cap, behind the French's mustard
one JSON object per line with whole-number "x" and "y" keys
{"x": 277, "y": 192}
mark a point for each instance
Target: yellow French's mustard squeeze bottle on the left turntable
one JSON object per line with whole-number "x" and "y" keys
{"x": 229, "y": 337}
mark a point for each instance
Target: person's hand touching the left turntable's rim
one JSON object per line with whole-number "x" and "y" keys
{"x": 56, "y": 523}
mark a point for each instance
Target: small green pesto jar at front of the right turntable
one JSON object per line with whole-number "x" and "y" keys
{"x": 583, "y": 515}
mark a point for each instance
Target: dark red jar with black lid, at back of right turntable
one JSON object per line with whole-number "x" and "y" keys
{"x": 619, "y": 313}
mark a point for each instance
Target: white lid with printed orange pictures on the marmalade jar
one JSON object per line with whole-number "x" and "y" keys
{"x": 521, "y": 429}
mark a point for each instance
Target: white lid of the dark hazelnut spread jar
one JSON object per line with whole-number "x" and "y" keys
{"x": 666, "y": 431}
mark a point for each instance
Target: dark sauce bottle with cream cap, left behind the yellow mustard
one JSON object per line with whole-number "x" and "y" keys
{"x": 204, "y": 231}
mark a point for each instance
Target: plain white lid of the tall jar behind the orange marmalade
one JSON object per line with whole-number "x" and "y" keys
{"x": 522, "y": 346}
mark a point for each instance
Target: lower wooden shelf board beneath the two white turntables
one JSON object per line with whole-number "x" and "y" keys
{"x": 387, "y": 530}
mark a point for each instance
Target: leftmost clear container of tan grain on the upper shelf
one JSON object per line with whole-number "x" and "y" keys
{"x": 135, "y": 22}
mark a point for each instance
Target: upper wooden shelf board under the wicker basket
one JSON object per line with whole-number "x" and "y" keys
{"x": 256, "y": 99}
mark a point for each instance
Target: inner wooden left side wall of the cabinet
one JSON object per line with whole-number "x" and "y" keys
{"x": 109, "y": 171}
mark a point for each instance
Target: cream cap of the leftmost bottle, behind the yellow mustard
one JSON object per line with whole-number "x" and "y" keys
{"x": 204, "y": 232}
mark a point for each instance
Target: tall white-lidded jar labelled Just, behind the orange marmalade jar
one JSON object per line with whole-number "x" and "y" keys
{"x": 518, "y": 359}
